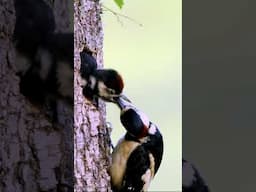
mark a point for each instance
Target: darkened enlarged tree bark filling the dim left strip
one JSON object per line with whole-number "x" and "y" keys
{"x": 33, "y": 156}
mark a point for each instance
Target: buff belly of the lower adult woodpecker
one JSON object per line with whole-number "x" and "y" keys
{"x": 120, "y": 156}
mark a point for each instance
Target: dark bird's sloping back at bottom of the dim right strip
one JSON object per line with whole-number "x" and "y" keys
{"x": 191, "y": 179}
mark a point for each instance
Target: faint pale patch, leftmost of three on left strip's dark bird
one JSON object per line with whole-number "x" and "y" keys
{"x": 22, "y": 63}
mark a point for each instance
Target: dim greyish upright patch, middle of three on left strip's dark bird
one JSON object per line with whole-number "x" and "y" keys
{"x": 45, "y": 59}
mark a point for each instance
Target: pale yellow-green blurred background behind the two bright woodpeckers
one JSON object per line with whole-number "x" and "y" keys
{"x": 149, "y": 59}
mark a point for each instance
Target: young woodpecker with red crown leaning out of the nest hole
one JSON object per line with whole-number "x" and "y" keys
{"x": 104, "y": 83}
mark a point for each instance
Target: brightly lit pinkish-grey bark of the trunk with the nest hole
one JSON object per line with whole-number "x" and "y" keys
{"x": 91, "y": 138}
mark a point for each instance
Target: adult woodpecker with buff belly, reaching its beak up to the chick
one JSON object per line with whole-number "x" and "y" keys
{"x": 138, "y": 155}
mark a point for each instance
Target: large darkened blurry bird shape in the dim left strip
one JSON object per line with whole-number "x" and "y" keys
{"x": 44, "y": 59}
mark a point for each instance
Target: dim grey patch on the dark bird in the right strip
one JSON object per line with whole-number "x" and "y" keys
{"x": 187, "y": 174}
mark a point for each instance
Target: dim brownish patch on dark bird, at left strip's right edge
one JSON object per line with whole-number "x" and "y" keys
{"x": 65, "y": 79}
